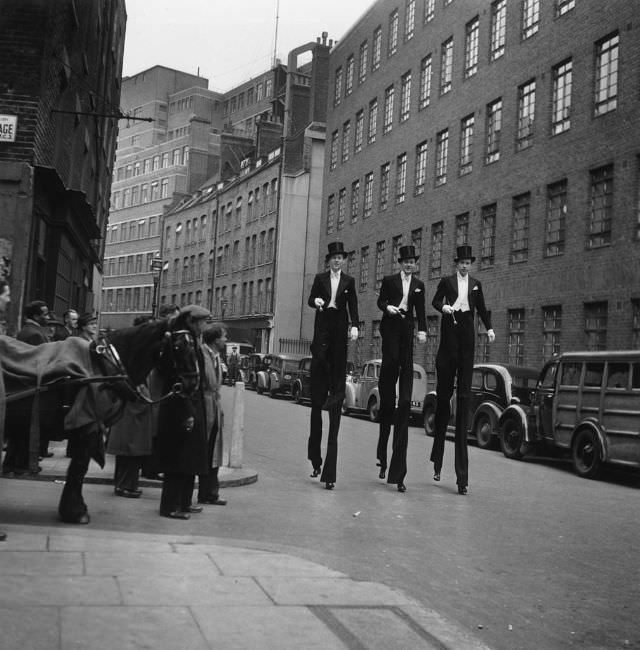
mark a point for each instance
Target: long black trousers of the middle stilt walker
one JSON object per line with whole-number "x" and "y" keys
{"x": 397, "y": 363}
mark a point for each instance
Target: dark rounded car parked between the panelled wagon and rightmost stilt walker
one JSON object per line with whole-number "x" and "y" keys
{"x": 494, "y": 387}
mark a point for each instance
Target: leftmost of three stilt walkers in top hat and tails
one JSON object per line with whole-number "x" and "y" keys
{"x": 333, "y": 296}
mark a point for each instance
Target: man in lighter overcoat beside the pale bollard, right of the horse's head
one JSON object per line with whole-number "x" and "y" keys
{"x": 214, "y": 340}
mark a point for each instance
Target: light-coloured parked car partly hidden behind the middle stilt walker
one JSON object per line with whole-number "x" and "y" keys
{"x": 362, "y": 394}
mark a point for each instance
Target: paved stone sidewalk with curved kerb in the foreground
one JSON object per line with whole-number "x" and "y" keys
{"x": 90, "y": 590}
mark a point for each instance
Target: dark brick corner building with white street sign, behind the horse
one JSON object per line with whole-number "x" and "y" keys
{"x": 59, "y": 102}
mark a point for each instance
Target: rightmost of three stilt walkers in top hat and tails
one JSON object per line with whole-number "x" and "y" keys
{"x": 457, "y": 298}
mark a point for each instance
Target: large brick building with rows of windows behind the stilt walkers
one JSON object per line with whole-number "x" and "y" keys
{"x": 507, "y": 125}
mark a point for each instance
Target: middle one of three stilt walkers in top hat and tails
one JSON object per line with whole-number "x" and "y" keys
{"x": 401, "y": 296}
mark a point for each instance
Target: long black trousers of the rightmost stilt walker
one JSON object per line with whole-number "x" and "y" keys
{"x": 454, "y": 364}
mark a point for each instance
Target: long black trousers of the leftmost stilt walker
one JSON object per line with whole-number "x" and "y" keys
{"x": 328, "y": 375}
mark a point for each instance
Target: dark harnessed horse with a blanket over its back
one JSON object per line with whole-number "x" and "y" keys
{"x": 81, "y": 406}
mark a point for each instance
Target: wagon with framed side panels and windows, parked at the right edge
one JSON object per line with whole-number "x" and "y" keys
{"x": 584, "y": 403}
